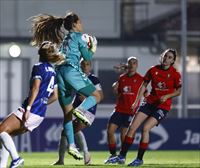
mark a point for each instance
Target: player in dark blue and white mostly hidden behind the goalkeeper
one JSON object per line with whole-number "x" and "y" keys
{"x": 78, "y": 126}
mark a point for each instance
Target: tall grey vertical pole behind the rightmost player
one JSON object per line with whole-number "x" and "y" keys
{"x": 184, "y": 56}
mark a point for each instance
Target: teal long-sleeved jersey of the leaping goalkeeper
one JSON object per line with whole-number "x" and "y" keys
{"x": 74, "y": 48}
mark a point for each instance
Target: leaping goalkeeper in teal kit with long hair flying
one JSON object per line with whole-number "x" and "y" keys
{"x": 69, "y": 75}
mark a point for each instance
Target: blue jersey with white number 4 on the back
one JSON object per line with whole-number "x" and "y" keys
{"x": 46, "y": 73}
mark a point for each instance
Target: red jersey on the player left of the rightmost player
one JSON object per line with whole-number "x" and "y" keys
{"x": 128, "y": 90}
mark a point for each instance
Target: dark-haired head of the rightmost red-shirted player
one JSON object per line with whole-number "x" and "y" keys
{"x": 168, "y": 57}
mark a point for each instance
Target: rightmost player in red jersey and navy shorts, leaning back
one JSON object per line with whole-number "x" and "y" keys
{"x": 165, "y": 84}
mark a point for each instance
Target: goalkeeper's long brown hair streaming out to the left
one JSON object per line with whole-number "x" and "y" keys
{"x": 49, "y": 28}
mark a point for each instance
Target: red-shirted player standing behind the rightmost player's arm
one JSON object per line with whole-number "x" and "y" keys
{"x": 126, "y": 90}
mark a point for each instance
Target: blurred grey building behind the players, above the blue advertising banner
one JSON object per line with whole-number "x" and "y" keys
{"x": 141, "y": 28}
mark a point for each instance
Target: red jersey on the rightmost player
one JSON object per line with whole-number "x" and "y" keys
{"x": 162, "y": 82}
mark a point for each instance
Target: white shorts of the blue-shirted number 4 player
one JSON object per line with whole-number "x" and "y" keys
{"x": 33, "y": 121}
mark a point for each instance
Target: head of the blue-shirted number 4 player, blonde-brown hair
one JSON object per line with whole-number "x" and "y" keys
{"x": 48, "y": 52}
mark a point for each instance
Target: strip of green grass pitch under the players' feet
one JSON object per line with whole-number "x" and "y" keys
{"x": 152, "y": 159}
